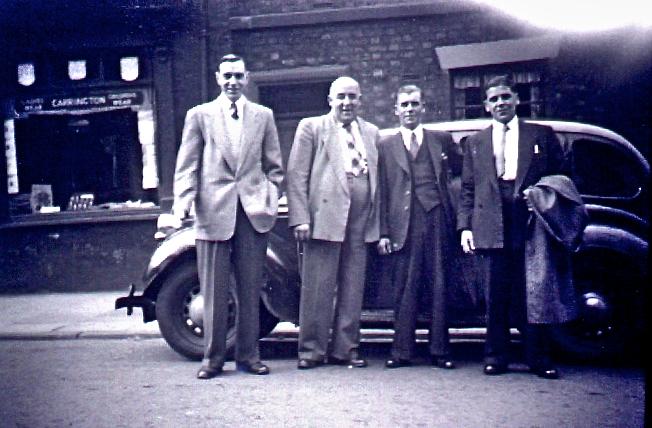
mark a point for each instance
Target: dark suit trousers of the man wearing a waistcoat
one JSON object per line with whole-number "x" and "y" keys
{"x": 419, "y": 270}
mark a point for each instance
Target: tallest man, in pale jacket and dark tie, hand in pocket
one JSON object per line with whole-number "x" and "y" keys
{"x": 229, "y": 165}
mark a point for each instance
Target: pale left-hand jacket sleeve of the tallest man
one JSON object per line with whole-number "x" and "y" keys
{"x": 186, "y": 175}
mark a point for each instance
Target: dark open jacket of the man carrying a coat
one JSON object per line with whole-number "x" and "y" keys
{"x": 480, "y": 209}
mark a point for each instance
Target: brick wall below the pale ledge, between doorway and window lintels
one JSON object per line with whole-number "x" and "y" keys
{"x": 381, "y": 54}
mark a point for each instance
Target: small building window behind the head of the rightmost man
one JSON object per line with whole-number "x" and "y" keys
{"x": 468, "y": 92}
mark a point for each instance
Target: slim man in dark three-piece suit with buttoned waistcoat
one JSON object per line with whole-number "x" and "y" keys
{"x": 416, "y": 222}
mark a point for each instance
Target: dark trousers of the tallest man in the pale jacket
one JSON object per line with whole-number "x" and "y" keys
{"x": 245, "y": 251}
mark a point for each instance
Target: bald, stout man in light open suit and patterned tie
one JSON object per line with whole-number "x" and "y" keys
{"x": 333, "y": 200}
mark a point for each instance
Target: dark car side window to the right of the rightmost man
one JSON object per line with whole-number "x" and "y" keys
{"x": 601, "y": 168}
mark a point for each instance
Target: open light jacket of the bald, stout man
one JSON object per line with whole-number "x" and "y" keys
{"x": 317, "y": 187}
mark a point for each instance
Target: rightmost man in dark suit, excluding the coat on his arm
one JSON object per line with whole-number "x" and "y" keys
{"x": 500, "y": 162}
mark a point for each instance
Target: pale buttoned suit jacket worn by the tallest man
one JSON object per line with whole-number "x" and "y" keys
{"x": 208, "y": 174}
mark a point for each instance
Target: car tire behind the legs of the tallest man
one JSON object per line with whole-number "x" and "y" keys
{"x": 173, "y": 306}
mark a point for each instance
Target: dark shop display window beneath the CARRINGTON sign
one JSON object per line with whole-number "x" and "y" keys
{"x": 96, "y": 155}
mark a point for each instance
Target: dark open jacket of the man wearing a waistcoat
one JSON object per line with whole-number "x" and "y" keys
{"x": 396, "y": 182}
